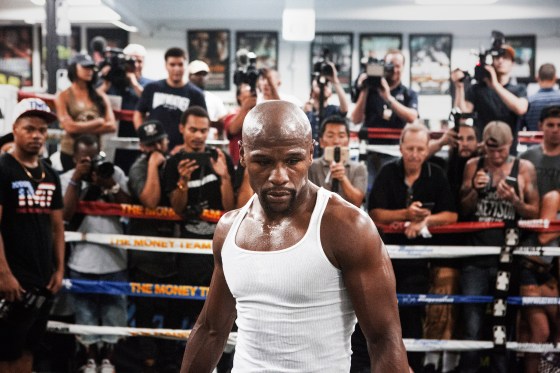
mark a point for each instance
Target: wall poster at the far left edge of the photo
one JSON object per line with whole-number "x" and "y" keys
{"x": 16, "y": 49}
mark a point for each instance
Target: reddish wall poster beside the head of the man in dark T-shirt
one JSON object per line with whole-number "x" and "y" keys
{"x": 212, "y": 47}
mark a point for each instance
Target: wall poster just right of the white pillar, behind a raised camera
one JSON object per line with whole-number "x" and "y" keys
{"x": 336, "y": 48}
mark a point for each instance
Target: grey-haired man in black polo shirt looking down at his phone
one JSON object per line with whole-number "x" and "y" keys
{"x": 415, "y": 192}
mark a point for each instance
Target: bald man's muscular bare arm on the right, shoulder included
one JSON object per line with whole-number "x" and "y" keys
{"x": 368, "y": 276}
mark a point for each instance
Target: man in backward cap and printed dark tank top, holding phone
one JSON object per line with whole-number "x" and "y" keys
{"x": 496, "y": 187}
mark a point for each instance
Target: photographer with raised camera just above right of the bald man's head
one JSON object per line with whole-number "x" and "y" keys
{"x": 327, "y": 79}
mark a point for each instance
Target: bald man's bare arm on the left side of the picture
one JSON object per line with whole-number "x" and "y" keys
{"x": 209, "y": 335}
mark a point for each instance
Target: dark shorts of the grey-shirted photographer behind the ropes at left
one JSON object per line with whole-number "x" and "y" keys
{"x": 99, "y": 309}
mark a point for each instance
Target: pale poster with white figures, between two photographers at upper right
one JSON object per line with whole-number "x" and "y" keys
{"x": 430, "y": 63}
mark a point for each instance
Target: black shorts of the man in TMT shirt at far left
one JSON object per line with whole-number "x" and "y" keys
{"x": 23, "y": 329}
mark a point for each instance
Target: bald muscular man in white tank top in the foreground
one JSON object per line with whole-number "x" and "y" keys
{"x": 296, "y": 265}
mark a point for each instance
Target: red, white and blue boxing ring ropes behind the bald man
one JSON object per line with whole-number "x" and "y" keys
{"x": 204, "y": 247}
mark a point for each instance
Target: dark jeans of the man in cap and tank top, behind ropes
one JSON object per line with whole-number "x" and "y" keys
{"x": 478, "y": 280}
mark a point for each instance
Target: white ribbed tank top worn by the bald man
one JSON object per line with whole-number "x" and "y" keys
{"x": 293, "y": 310}
